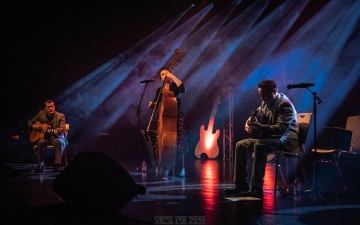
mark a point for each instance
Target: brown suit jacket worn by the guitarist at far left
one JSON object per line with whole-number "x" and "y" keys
{"x": 58, "y": 121}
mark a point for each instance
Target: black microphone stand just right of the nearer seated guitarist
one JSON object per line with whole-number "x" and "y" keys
{"x": 315, "y": 188}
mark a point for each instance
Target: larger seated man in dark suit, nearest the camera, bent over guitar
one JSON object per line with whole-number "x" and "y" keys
{"x": 276, "y": 127}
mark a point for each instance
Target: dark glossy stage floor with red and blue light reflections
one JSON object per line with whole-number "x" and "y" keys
{"x": 197, "y": 199}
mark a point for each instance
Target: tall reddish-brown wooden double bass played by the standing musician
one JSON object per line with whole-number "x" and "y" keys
{"x": 163, "y": 149}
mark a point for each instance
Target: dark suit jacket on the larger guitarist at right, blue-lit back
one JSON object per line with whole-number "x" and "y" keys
{"x": 279, "y": 121}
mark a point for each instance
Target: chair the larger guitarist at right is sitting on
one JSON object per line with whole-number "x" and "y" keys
{"x": 304, "y": 123}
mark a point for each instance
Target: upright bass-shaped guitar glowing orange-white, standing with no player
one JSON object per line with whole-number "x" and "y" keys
{"x": 208, "y": 140}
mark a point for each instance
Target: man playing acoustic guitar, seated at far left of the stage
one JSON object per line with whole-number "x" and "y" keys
{"x": 48, "y": 128}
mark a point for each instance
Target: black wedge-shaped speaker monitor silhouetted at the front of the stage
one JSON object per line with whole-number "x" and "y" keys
{"x": 95, "y": 182}
